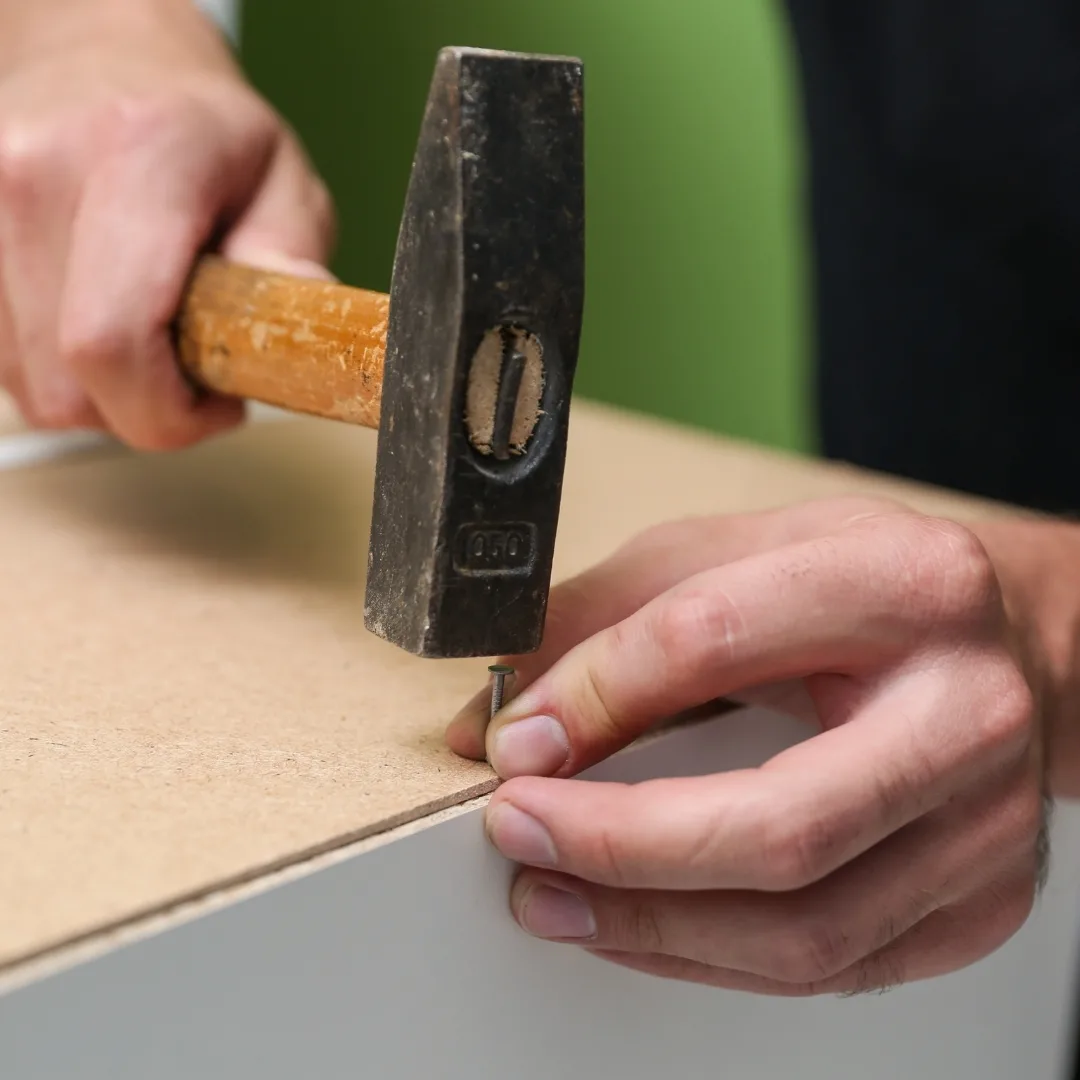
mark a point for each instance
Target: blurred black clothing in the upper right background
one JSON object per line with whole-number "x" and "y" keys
{"x": 944, "y": 143}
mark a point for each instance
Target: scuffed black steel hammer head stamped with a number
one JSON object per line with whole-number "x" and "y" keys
{"x": 485, "y": 317}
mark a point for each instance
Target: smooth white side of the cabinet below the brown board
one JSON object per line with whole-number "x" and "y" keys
{"x": 403, "y": 963}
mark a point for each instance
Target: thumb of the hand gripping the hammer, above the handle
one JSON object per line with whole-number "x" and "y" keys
{"x": 290, "y": 226}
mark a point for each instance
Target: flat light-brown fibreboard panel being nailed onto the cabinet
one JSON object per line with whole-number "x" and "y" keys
{"x": 190, "y": 697}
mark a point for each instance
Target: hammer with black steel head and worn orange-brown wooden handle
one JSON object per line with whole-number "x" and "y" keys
{"x": 466, "y": 369}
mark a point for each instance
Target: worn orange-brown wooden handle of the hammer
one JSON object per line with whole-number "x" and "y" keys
{"x": 307, "y": 346}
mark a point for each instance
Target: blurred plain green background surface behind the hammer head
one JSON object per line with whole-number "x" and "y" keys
{"x": 696, "y": 304}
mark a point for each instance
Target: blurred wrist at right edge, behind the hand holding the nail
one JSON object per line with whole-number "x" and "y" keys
{"x": 1038, "y": 564}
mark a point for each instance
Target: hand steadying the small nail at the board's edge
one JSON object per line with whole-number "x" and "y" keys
{"x": 902, "y": 842}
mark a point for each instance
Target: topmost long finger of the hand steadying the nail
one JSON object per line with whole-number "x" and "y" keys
{"x": 853, "y": 603}
